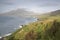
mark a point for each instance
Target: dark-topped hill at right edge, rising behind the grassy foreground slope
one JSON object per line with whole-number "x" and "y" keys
{"x": 48, "y": 15}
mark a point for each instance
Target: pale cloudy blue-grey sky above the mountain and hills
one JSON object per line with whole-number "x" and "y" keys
{"x": 30, "y": 5}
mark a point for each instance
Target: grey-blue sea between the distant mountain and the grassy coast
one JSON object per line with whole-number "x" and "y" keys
{"x": 9, "y": 24}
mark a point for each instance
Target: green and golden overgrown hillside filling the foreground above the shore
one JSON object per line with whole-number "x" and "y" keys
{"x": 46, "y": 29}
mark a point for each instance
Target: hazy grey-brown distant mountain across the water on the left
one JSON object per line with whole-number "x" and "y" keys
{"x": 18, "y": 12}
